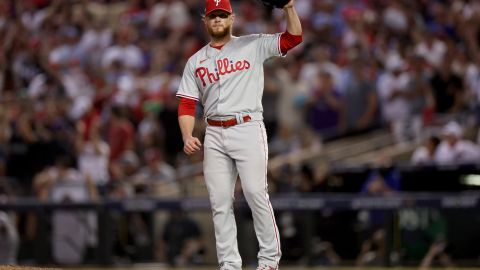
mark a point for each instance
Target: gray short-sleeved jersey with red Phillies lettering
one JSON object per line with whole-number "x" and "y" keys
{"x": 229, "y": 81}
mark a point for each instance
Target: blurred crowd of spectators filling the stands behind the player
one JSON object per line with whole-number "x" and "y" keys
{"x": 87, "y": 88}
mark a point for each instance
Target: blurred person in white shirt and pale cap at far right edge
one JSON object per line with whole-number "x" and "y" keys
{"x": 453, "y": 149}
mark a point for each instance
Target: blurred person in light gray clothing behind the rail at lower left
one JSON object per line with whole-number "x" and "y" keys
{"x": 64, "y": 184}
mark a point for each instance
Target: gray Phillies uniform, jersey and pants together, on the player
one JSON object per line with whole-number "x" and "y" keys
{"x": 229, "y": 83}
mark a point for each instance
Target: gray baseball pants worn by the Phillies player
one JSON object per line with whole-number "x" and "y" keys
{"x": 240, "y": 150}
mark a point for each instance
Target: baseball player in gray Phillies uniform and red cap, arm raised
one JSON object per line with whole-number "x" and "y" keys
{"x": 226, "y": 76}
